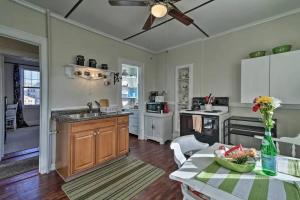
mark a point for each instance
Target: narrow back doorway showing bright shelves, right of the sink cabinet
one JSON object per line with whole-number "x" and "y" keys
{"x": 132, "y": 95}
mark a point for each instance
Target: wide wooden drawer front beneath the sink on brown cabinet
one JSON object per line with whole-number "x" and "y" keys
{"x": 93, "y": 124}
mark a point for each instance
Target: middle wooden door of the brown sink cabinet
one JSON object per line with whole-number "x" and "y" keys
{"x": 105, "y": 144}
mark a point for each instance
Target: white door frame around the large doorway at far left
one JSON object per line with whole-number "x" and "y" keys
{"x": 44, "y": 143}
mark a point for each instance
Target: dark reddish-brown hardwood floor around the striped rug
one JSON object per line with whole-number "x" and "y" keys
{"x": 31, "y": 185}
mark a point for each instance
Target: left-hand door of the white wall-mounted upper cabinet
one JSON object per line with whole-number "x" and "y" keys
{"x": 254, "y": 78}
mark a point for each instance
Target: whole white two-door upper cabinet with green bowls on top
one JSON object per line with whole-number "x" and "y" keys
{"x": 275, "y": 75}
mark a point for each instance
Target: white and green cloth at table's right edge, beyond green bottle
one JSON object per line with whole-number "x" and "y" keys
{"x": 289, "y": 166}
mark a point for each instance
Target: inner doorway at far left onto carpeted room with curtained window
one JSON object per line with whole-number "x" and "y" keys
{"x": 22, "y": 105}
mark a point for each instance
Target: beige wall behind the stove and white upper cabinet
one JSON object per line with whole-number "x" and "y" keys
{"x": 217, "y": 65}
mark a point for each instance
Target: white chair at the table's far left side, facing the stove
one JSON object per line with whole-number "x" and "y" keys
{"x": 184, "y": 144}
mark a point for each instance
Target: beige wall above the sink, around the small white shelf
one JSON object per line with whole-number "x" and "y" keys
{"x": 67, "y": 42}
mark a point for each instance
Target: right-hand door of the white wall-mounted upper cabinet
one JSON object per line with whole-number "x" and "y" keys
{"x": 285, "y": 76}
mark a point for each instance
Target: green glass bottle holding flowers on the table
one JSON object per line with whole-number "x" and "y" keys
{"x": 268, "y": 155}
